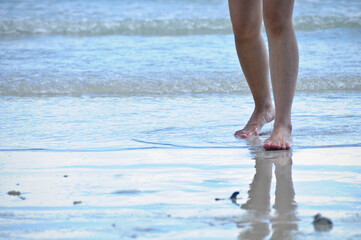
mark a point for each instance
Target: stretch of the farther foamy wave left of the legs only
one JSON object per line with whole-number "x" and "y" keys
{"x": 114, "y": 27}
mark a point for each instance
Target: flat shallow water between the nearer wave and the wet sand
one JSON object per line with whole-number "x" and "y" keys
{"x": 120, "y": 123}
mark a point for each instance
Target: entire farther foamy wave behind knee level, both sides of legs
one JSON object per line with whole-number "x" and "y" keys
{"x": 149, "y": 27}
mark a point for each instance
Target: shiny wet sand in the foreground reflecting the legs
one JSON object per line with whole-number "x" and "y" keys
{"x": 170, "y": 194}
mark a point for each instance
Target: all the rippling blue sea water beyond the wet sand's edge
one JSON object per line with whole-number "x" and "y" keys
{"x": 114, "y": 75}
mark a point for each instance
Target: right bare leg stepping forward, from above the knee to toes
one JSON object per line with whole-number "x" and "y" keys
{"x": 284, "y": 68}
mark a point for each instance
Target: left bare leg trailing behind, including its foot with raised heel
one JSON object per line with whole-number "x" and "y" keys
{"x": 246, "y": 17}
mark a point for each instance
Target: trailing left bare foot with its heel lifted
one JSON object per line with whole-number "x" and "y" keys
{"x": 258, "y": 119}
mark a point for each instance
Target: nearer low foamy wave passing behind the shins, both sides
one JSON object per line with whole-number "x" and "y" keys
{"x": 218, "y": 85}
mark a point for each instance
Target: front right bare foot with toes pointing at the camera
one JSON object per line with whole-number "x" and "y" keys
{"x": 281, "y": 139}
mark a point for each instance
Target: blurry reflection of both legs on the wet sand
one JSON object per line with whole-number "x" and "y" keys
{"x": 260, "y": 223}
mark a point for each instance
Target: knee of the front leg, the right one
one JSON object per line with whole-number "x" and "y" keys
{"x": 276, "y": 21}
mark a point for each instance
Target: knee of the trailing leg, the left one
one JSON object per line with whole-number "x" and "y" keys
{"x": 245, "y": 29}
